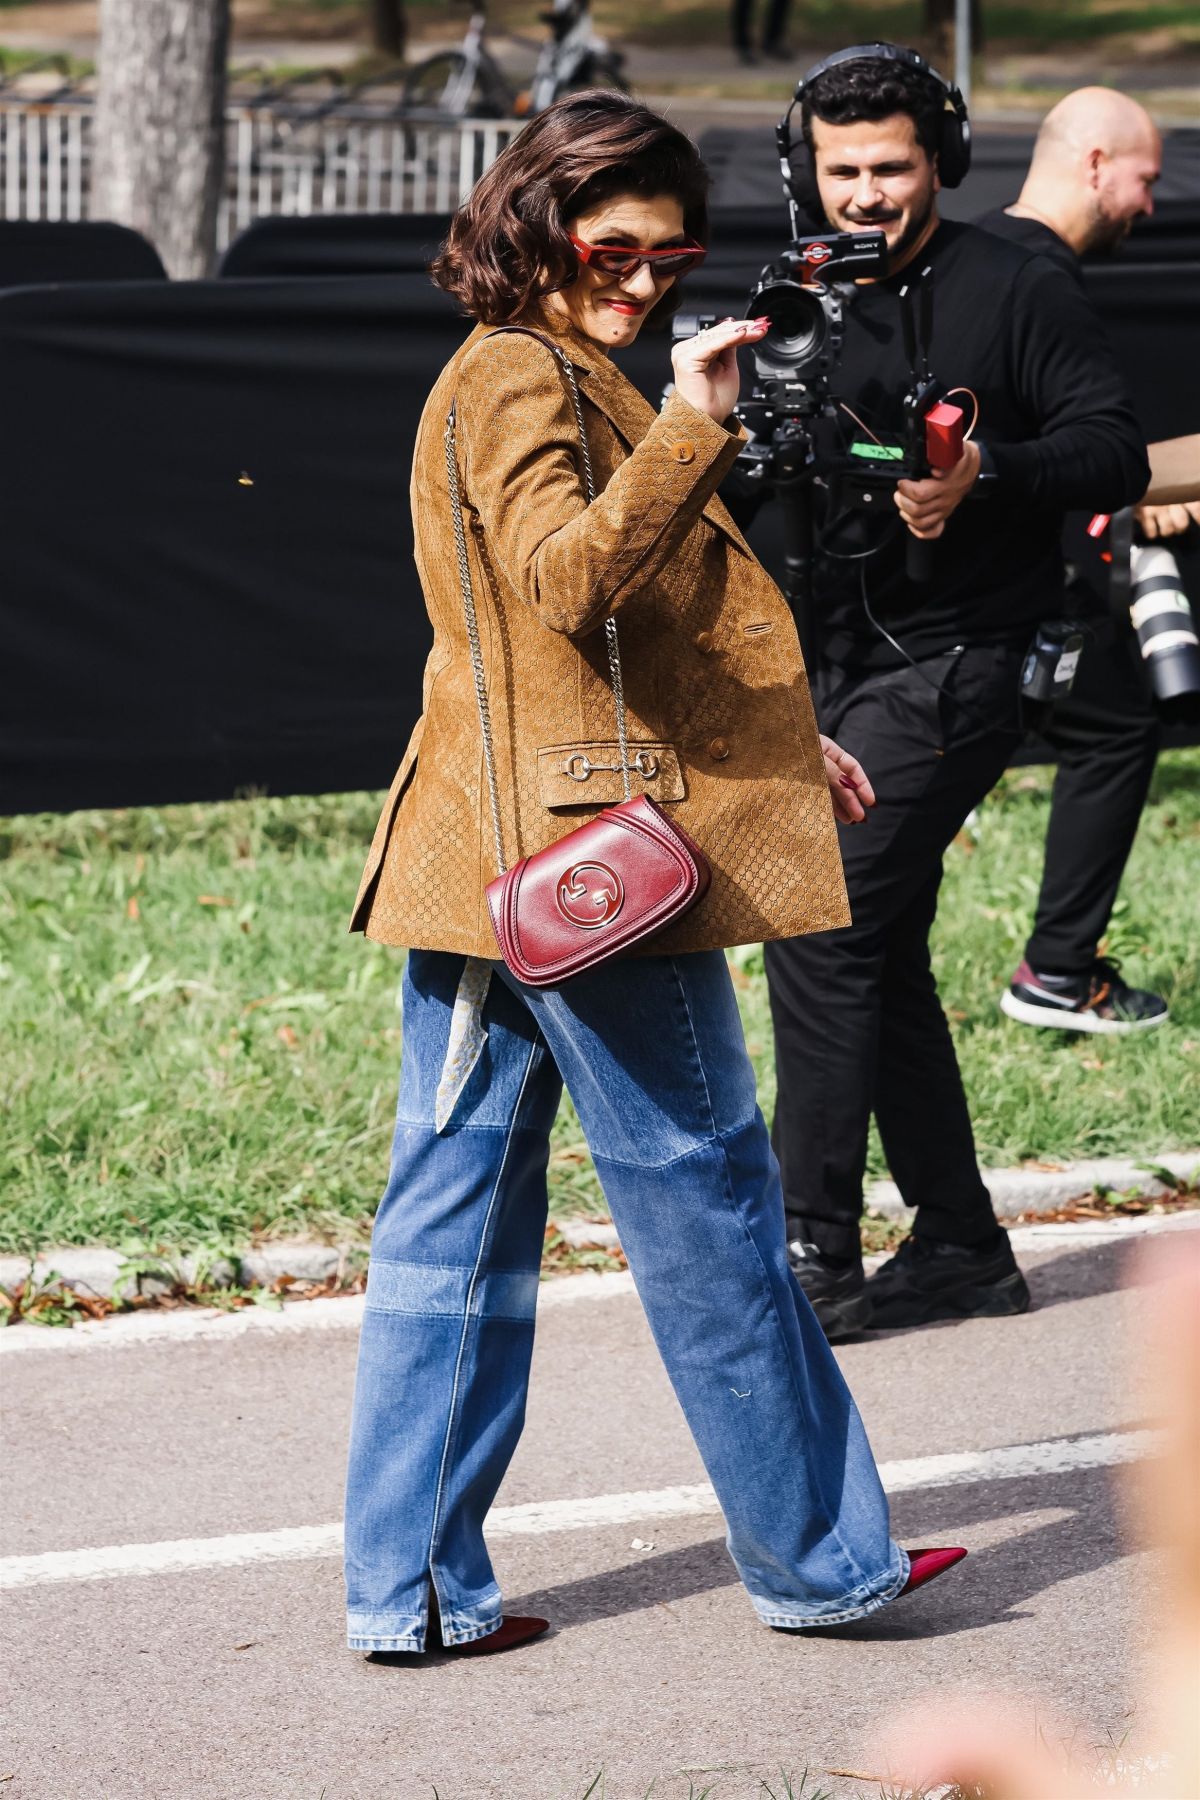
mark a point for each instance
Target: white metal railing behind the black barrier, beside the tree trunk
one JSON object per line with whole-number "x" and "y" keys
{"x": 294, "y": 159}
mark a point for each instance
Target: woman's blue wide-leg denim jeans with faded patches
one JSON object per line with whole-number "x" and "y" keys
{"x": 654, "y": 1057}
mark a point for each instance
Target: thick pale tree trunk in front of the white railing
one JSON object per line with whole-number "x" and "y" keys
{"x": 159, "y": 154}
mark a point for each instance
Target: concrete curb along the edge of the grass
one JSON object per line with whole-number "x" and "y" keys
{"x": 1014, "y": 1192}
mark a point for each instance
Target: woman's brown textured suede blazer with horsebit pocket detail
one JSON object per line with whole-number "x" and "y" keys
{"x": 721, "y": 717}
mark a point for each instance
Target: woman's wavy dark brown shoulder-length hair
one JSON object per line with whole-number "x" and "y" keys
{"x": 508, "y": 242}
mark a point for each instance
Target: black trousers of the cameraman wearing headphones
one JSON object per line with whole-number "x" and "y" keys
{"x": 859, "y": 1027}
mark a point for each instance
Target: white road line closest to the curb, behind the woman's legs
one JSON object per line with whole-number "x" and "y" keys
{"x": 562, "y": 1291}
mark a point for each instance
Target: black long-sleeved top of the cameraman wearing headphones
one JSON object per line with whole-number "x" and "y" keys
{"x": 1057, "y": 431}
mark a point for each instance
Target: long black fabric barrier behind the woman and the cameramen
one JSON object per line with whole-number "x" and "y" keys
{"x": 210, "y": 575}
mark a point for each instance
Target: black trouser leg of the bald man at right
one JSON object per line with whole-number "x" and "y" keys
{"x": 1107, "y": 741}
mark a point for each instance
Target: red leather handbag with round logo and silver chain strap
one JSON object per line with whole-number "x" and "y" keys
{"x": 616, "y": 879}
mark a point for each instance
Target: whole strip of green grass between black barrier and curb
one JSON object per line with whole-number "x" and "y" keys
{"x": 195, "y": 1050}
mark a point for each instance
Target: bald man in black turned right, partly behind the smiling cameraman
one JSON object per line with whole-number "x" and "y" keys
{"x": 1093, "y": 174}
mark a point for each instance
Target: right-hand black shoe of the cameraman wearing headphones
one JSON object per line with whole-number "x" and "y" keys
{"x": 929, "y": 1281}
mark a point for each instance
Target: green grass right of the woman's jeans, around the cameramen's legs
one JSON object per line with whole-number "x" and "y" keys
{"x": 1048, "y": 1095}
